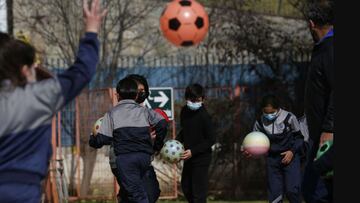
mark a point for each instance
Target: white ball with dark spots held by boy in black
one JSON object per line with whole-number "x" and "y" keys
{"x": 172, "y": 151}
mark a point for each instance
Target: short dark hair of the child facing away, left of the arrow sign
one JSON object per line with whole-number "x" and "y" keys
{"x": 127, "y": 88}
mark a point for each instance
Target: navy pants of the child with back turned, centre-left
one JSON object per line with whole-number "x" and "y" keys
{"x": 131, "y": 169}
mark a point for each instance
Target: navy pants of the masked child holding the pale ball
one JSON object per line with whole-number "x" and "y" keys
{"x": 284, "y": 179}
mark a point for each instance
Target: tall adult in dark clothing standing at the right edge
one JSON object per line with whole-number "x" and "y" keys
{"x": 319, "y": 100}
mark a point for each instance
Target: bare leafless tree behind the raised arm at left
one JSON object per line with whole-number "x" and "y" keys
{"x": 59, "y": 25}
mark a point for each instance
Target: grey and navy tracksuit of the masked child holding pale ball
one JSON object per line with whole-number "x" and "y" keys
{"x": 284, "y": 134}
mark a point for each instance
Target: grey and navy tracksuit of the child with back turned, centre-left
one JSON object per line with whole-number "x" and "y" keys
{"x": 126, "y": 126}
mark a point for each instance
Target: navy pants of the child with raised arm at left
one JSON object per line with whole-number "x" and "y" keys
{"x": 19, "y": 193}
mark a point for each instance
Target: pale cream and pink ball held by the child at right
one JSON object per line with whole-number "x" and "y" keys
{"x": 256, "y": 143}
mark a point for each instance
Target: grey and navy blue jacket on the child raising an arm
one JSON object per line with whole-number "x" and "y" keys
{"x": 26, "y": 114}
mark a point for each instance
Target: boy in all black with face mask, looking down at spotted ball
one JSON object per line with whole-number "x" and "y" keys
{"x": 197, "y": 135}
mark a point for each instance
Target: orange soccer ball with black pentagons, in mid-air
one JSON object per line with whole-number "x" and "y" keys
{"x": 184, "y": 22}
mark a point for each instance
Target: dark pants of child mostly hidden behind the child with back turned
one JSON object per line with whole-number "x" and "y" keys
{"x": 151, "y": 184}
